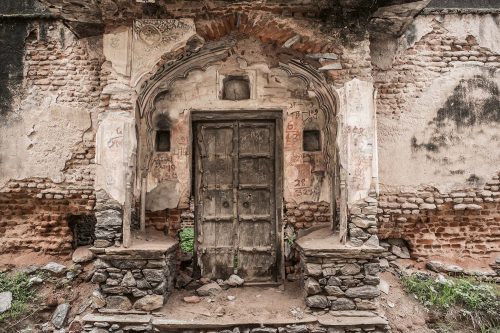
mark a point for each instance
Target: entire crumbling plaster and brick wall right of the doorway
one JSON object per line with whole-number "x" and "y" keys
{"x": 438, "y": 127}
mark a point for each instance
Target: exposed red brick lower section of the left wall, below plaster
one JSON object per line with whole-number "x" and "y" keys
{"x": 34, "y": 212}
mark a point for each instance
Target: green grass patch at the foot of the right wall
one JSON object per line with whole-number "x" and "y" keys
{"x": 458, "y": 300}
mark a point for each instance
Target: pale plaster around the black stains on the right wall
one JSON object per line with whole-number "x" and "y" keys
{"x": 474, "y": 149}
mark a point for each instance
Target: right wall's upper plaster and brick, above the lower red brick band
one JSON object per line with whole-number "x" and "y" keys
{"x": 438, "y": 106}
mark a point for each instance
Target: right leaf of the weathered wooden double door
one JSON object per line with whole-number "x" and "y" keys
{"x": 256, "y": 208}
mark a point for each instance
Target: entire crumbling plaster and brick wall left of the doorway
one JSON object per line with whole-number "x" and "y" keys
{"x": 47, "y": 139}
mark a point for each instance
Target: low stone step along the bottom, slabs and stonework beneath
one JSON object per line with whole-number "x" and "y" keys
{"x": 342, "y": 322}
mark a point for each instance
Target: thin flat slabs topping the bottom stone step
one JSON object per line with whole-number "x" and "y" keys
{"x": 340, "y": 319}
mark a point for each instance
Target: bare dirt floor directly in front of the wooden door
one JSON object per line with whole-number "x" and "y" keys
{"x": 257, "y": 304}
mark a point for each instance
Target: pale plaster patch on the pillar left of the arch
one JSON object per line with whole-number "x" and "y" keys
{"x": 115, "y": 146}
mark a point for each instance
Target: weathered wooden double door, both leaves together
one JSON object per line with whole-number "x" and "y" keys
{"x": 235, "y": 199}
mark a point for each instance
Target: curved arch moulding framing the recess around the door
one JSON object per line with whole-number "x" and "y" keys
{"x": 212, "y": 52}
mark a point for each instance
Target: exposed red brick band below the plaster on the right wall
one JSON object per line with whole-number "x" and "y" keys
{"x": 463, "y": 222}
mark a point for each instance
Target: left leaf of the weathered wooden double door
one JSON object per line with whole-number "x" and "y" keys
{"x": 216, "y": 220}
